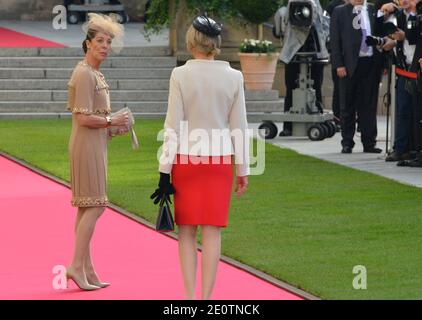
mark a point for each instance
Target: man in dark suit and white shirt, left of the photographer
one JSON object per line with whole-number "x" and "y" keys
{"x": 359, "y": 68}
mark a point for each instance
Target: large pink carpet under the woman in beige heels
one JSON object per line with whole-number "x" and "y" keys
{"x": 36, "y": 233}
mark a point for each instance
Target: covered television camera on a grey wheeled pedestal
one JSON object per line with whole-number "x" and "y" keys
{"x": 304, "y": 29}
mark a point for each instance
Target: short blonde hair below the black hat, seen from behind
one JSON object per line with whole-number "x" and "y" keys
{"x": 202, "y": 43}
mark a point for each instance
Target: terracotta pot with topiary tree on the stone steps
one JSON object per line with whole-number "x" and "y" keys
{"x": 258, "y": 57}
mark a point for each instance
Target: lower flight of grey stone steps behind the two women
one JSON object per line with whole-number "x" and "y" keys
{"x": 33, "y": 82}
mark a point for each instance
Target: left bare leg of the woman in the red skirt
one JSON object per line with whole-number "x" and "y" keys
{"x": 187, "y": 256}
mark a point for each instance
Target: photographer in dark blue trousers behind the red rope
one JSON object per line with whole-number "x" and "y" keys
{"x": 404, "y": 13}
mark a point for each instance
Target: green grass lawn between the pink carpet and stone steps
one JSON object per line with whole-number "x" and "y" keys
{"x": 305, "y": 221}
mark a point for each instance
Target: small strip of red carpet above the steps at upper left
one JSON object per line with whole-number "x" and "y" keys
{"x": 14, "y": 39}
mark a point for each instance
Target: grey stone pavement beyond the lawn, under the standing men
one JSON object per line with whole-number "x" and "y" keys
{"x": 329, "y": 150}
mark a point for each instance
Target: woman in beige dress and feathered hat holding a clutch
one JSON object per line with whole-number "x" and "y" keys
{"x": 89, "y": 102}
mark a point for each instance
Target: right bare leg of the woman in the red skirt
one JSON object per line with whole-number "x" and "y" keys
{"x": 211, "y": 251}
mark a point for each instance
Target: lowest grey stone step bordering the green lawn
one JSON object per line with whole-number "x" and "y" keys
{"x": 143, "y": 106}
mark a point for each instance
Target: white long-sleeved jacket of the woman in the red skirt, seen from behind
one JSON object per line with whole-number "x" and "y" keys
{"x": 206, "y": 113}
